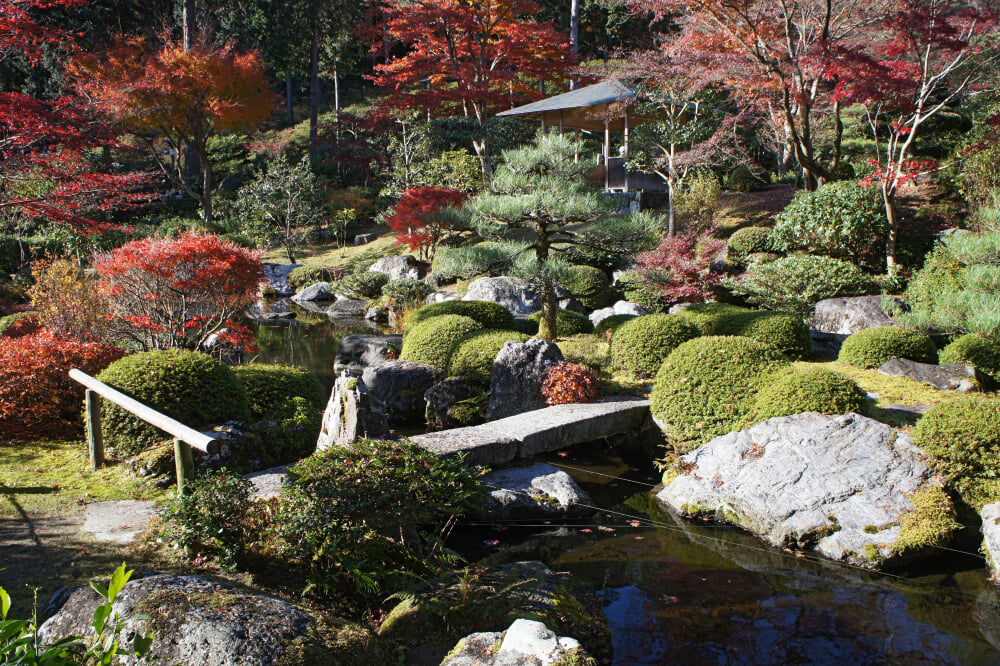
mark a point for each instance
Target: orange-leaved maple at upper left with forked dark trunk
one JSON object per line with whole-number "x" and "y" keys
{"x": 182, "y": 96}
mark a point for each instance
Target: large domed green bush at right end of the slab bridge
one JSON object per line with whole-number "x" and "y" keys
{"x": 706, "y": 387}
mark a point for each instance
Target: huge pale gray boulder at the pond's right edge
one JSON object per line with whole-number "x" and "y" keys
{"x": 836, "y": 484}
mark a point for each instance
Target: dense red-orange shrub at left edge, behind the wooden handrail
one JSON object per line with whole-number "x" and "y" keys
{"x": 37, "y": 397}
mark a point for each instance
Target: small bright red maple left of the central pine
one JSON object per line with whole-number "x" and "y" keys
{"x": 418, "y": 220}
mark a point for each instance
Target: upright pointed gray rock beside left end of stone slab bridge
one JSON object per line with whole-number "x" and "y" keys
{"x": 350, "y": 414}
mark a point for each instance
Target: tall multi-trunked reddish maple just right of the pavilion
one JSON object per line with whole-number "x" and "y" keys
{"x": 771, "y": 53}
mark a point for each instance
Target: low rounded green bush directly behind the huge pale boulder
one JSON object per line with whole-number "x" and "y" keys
{"x": 793, "y": 391}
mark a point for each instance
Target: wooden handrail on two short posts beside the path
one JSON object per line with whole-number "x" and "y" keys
{"x": 184, "y": 437}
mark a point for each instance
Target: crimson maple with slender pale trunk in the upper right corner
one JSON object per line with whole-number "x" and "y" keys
{"x": 914, "y": 63}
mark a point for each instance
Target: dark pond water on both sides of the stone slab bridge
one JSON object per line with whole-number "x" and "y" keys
{"x": 684, "y": 592}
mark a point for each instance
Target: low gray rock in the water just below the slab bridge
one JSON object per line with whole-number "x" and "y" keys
{"x": 537, "y": 490}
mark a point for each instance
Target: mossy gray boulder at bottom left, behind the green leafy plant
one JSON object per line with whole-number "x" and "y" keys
{"x": 197, "y": 622}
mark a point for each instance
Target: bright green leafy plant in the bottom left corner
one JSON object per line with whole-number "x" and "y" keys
{"x": 20, "y": 644}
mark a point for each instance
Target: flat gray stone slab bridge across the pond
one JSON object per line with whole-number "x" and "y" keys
{"x": 540, "y": 431}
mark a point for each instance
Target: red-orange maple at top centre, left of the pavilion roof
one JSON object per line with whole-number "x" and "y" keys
{"x": 473, "y": 56}
